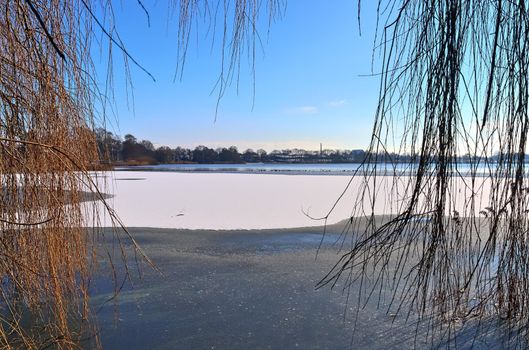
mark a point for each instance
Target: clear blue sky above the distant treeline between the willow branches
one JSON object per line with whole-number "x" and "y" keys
{"x": 309, "y": 86}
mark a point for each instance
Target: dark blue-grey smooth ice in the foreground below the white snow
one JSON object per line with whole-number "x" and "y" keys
{"x": 255, "y": 290}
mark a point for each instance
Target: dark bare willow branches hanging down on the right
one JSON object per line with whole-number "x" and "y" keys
{"x": 453, "y": 85}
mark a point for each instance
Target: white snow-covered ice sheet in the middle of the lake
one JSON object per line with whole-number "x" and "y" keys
{"x": 217, "y": 200}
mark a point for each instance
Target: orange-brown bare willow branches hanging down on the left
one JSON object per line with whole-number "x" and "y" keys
{"x": 47, "y": 103}
